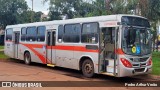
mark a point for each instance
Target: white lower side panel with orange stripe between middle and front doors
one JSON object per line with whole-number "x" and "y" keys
{"x": 70, "y": 57}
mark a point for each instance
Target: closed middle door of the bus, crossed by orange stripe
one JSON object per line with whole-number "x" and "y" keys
{"x": 50, "y": 53}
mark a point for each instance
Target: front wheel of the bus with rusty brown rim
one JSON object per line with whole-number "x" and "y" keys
{"x": 88, "y": 68}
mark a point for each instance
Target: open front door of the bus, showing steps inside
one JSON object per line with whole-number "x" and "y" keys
{"x": 108, "y": 56}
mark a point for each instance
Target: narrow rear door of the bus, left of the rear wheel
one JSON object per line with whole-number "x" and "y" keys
{"x": 16, "y": 44}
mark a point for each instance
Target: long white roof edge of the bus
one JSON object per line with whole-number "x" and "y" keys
{"x": 75, "y": 20}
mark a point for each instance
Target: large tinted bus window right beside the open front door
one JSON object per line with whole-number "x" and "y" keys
{"x": 90, "y": 33}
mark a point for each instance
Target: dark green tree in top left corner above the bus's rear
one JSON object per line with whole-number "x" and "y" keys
{"x": 11, "y": 11}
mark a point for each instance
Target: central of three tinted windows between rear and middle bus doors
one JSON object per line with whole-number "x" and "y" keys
{"x": 31, "y": 34}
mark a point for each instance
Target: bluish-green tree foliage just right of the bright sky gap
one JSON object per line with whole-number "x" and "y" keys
{"x": 64, "y": 7}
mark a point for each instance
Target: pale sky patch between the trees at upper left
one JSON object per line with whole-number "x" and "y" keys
{"x": 38, "y": 5}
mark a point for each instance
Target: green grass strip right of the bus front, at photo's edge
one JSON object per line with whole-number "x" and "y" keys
{"x": 156, "y": 63}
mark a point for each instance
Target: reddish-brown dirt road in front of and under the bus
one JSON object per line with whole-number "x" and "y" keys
{"x": 15, "y": 70}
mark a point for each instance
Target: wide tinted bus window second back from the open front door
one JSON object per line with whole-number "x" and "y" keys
{"x": 72, "y": 33}
